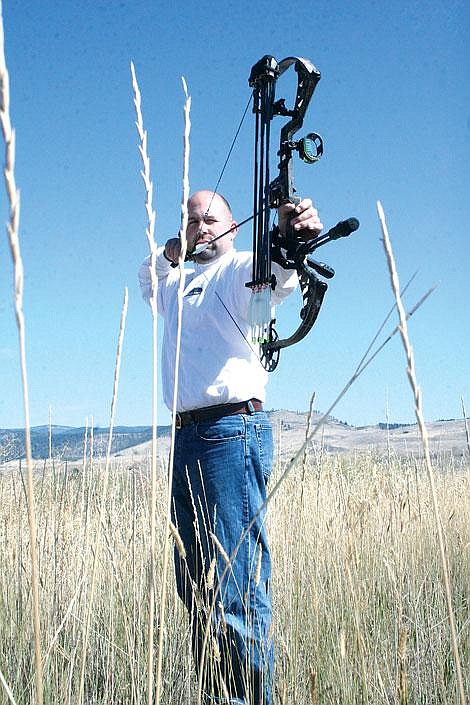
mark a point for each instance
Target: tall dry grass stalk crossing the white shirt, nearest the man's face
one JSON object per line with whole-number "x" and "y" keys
{"x": 182, "y": 256}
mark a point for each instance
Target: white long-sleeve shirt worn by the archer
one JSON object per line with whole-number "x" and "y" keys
{"x": 218, "y": 363}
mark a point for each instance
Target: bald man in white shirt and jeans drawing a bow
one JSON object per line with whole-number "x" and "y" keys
{"x": 223, "y": 448}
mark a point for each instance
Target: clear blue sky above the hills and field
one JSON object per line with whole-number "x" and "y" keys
{"x": 394, "y": 112}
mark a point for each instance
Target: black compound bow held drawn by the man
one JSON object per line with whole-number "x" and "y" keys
{"x": 269, "y": 244}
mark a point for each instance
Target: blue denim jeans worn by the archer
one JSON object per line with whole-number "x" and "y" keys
{"x": 219, "y": 483}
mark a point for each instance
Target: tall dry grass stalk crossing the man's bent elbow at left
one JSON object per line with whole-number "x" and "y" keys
{"x": 150, "y": 233}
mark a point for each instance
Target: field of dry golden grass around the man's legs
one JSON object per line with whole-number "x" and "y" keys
{"x": 360, "y": 612}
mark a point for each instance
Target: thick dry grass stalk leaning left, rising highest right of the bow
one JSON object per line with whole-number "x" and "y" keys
{"x": 411, "y": 372}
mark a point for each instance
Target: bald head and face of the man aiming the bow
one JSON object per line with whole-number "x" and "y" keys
{"x": 208, "y": 216}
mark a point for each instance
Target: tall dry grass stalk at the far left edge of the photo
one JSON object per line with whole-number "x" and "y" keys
{"x": 14, "y": 242}
